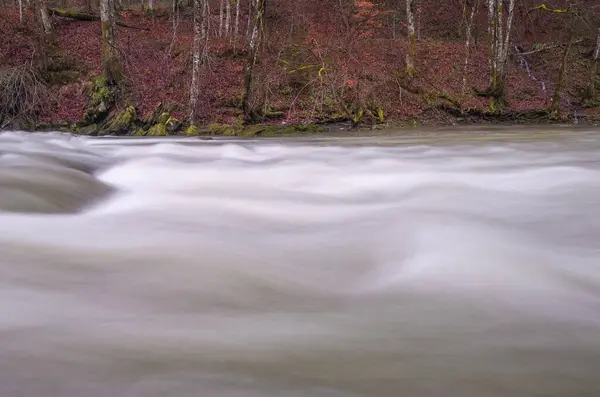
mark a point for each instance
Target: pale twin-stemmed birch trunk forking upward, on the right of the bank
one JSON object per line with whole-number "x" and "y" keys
{"x": 499, "y": 37}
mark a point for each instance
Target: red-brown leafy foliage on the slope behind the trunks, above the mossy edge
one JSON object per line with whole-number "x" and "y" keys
{"x": 350, "y": 52}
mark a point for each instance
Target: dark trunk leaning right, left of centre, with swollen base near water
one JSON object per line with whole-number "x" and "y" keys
{"x": 252, "y": 101}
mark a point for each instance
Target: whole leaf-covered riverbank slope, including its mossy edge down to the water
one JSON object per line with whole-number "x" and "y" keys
{"x": 357, "y": 83}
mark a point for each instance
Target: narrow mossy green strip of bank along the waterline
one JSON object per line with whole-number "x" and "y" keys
{"x": 430, "y": 126}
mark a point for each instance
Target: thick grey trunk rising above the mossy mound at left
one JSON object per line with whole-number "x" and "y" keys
{"x": 110, "y": 61}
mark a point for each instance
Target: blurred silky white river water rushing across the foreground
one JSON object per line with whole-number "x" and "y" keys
{"x": 332, "y": 267}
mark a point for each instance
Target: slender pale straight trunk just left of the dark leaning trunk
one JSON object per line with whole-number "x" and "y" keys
{"x": 199, "y": 48}
